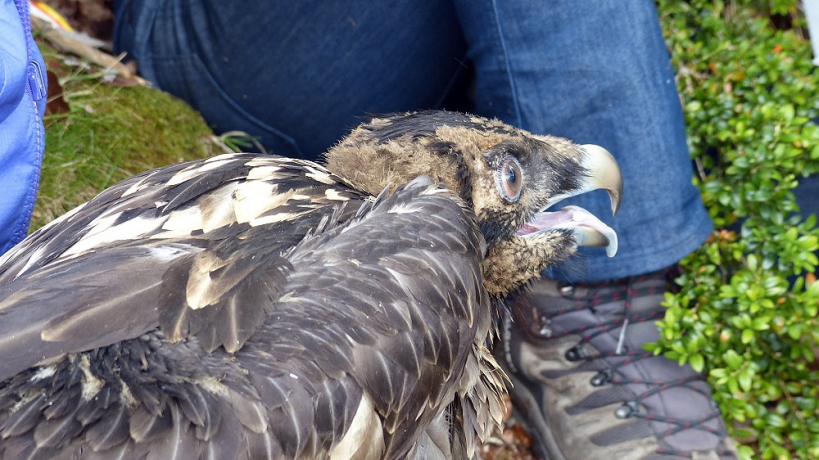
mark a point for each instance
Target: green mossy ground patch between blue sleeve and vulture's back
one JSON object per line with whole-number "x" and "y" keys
{"x": 108, "y": 134}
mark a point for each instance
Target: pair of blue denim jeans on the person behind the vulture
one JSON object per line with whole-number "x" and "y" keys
{"x": 299, "y": 74}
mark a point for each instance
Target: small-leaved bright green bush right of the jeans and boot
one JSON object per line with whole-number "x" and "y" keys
{"x": 747, "y": 309}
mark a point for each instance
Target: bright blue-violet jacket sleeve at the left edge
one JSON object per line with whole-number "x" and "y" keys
{"x": 22, "y": 105}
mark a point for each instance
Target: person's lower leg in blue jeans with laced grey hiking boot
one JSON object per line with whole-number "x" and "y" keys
{"x": 598, "y": 72}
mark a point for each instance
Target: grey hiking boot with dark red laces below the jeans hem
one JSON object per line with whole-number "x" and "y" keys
{"x": 587, "y": 388}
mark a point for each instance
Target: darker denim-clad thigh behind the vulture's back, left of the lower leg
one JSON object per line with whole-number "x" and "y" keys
{"x": 298, "y": 75}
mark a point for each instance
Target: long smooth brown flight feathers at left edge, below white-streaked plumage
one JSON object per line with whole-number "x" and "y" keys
{"x": 101, "y": 307}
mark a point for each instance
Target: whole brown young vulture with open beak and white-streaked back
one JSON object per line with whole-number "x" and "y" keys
{"x": 253, "y": 306}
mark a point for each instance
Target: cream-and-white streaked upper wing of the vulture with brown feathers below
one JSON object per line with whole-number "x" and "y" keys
{"x": 113, "y": 268}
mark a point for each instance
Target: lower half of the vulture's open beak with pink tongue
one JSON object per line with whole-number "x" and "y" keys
{"x": 588, "y": 230}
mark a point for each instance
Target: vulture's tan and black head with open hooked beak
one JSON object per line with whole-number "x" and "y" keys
{"x": 508, "y": 176}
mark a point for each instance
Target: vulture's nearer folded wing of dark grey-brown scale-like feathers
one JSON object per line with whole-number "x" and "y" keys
{"x": 361, "y": 349}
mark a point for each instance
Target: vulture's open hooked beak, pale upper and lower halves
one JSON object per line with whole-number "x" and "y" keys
{"x": 602, "y": 173}
